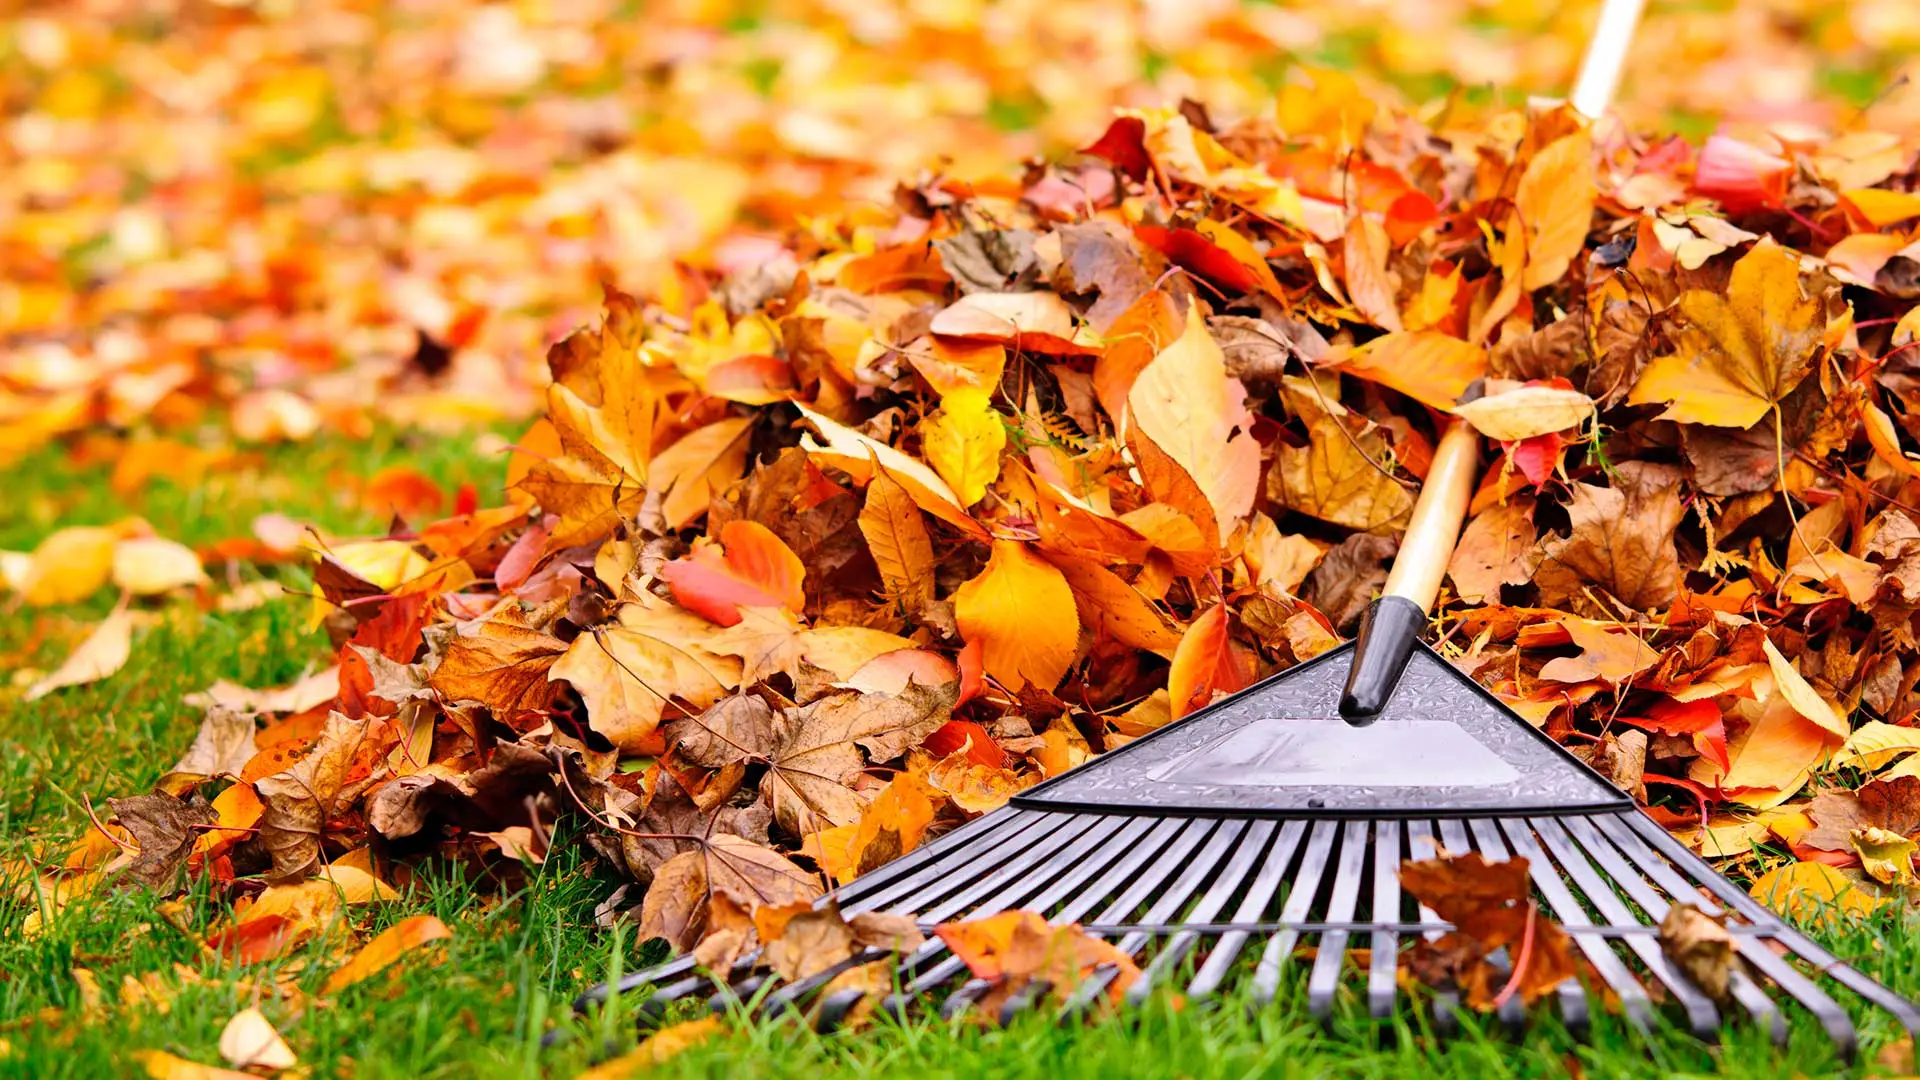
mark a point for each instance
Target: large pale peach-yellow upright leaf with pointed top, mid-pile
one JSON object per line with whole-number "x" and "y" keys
{"x": 1188, "y": 406}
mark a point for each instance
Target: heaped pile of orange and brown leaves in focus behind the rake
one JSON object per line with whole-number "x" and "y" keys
{"x": 951, "y": 497}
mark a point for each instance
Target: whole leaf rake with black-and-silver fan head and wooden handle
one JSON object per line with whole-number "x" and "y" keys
{"x": 1220, "y": 848}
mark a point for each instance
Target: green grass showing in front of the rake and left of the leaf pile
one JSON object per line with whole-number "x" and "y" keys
{"x": 481, "y": 1004}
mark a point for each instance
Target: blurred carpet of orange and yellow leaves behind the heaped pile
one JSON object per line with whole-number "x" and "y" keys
{"x": 276, "y": 216}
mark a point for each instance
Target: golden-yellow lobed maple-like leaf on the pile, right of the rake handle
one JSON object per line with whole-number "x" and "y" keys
{"x": 1739, "y": 355}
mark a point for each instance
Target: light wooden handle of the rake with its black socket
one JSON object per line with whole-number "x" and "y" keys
{"x": 1395, "y": 622}
